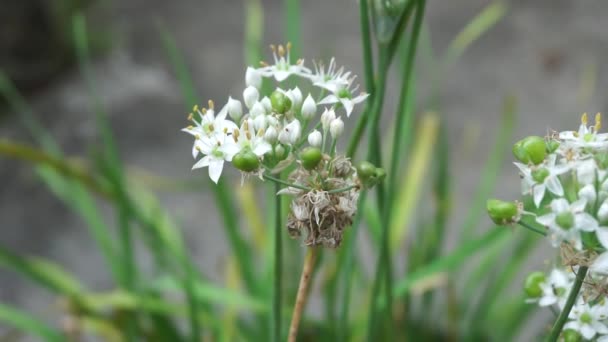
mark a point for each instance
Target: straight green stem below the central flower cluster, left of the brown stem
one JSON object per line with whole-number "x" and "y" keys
{"x": 278, "y": 257}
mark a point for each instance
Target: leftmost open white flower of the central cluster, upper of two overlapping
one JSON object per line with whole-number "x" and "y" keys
{"x": 209, "y": 125}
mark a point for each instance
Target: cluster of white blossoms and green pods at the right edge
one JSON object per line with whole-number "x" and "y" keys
{"x": 565, "y": 175}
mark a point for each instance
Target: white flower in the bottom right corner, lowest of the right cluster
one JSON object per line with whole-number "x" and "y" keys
{"x": 586, "y": 320}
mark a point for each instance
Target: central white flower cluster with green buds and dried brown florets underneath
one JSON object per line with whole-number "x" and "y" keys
{"x": 284, "y": 131}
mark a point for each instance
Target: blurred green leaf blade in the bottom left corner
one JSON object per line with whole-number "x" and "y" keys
{"x": 28, "y": 324}
